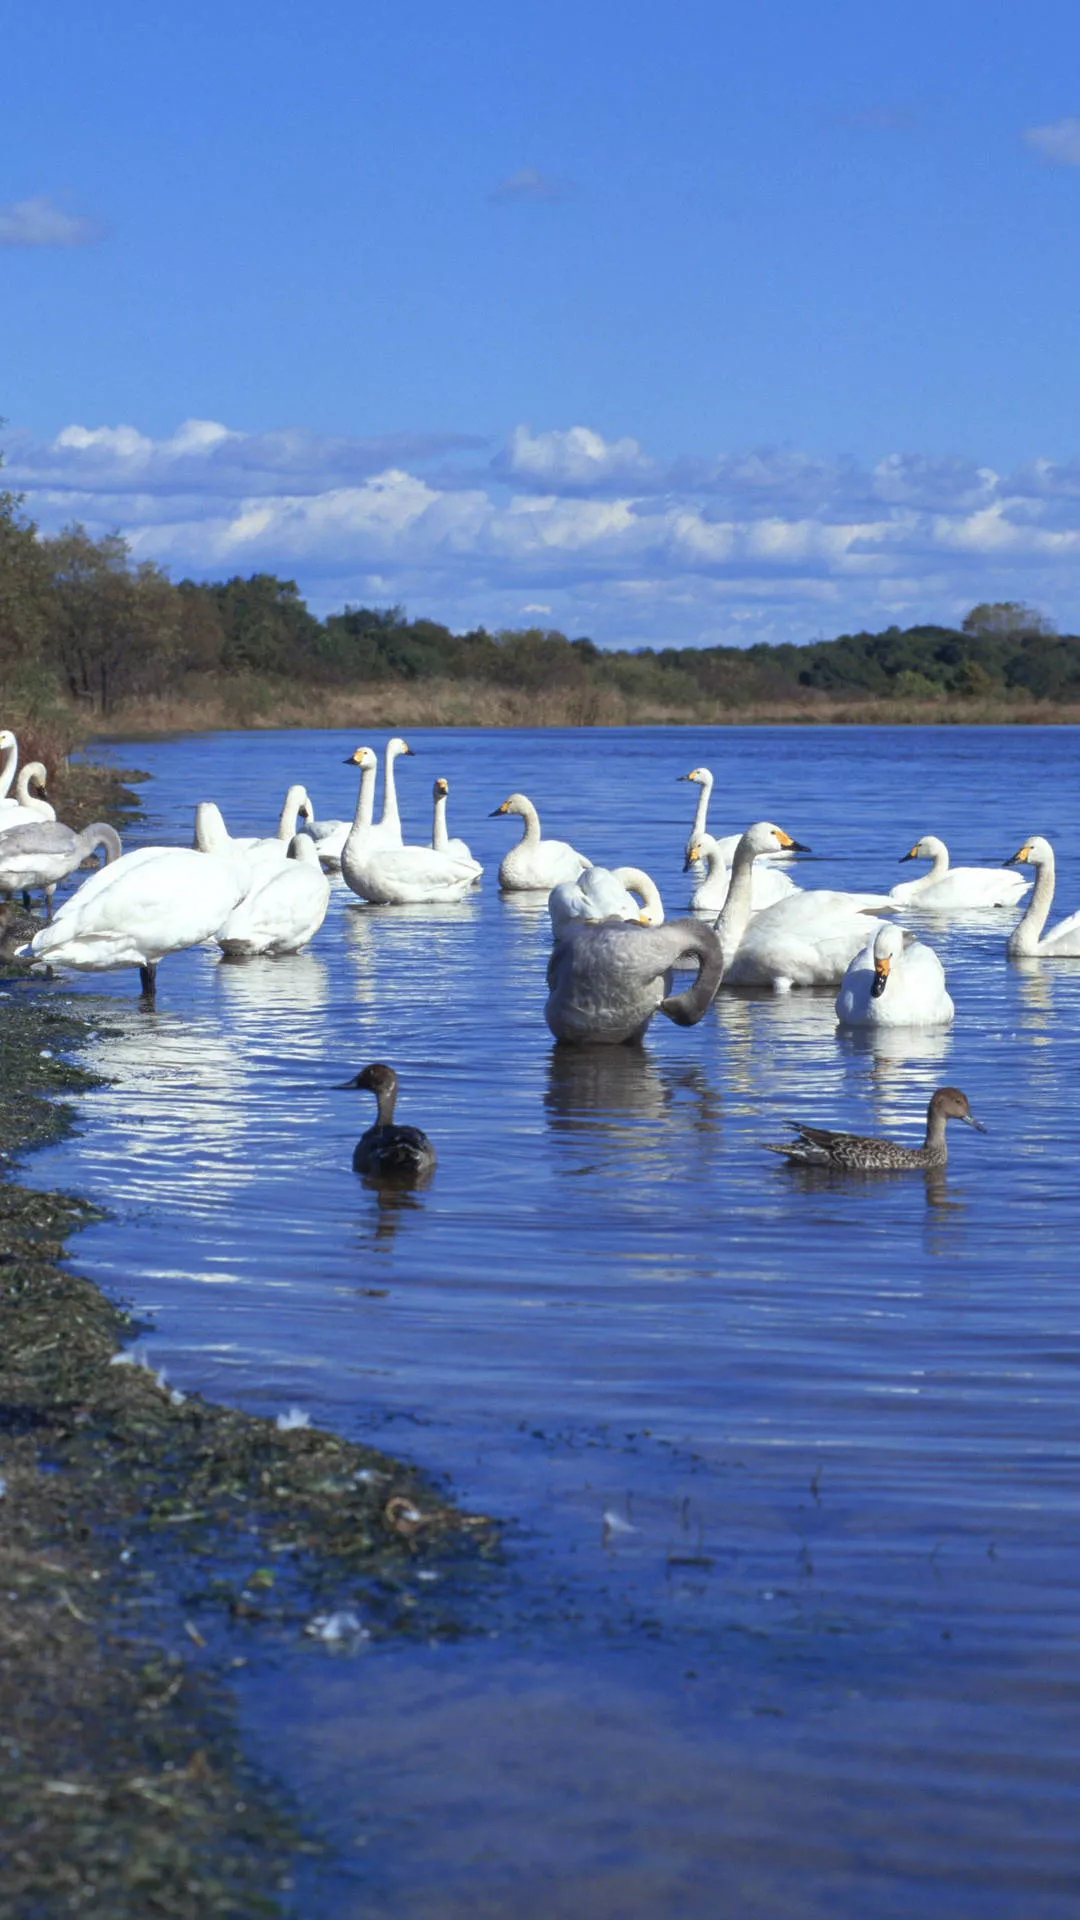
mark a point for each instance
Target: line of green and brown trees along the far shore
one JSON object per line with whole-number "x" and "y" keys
{"x": 86, "y": 625}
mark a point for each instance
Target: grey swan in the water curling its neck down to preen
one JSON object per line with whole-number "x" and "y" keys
{"x": 606, "y": 980}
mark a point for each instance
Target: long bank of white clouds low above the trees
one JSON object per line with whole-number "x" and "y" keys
{"x": 587, "y": 533}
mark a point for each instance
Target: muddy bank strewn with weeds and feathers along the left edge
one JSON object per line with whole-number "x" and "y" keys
{"x": 149, "y": 1547}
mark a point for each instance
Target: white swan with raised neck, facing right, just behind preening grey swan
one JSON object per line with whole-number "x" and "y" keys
{"x": 802, "y": 942}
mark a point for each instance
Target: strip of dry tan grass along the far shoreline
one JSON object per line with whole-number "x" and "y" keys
{"x": 247, "y": 704}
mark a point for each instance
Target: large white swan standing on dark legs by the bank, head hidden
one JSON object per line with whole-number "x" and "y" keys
{"x": 139, "y": 909}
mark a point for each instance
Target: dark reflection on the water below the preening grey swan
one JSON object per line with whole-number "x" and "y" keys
{"x": 608, "y": 1092}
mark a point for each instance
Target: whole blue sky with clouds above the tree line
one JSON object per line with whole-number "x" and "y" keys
{"x": 662, "y": 325}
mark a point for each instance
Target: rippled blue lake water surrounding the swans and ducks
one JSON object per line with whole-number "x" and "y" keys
{"x": 789, "y": 1616}
